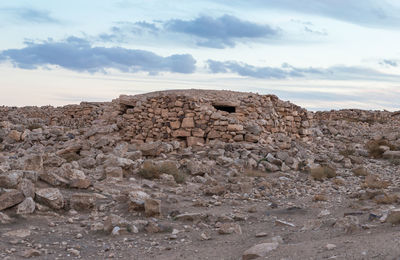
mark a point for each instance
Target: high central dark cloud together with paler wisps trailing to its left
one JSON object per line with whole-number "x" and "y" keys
{"x": 222, "y": 32}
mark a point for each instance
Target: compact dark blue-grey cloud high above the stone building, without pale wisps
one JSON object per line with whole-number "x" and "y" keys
{"x": 220, "y": 32}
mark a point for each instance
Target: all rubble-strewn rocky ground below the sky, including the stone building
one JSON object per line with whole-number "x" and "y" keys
{"x": 194, "y": 174}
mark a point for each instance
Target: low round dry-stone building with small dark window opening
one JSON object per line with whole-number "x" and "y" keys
{"x": 198, "y": 116}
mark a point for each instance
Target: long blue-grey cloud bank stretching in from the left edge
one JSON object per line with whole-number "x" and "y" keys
{"x": 79, "y": 55}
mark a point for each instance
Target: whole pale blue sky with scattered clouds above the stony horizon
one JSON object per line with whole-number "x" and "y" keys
{"x": 319, "y": 54}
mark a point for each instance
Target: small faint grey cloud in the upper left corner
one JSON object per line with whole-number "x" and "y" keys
{"x": 30, "y": 15}
